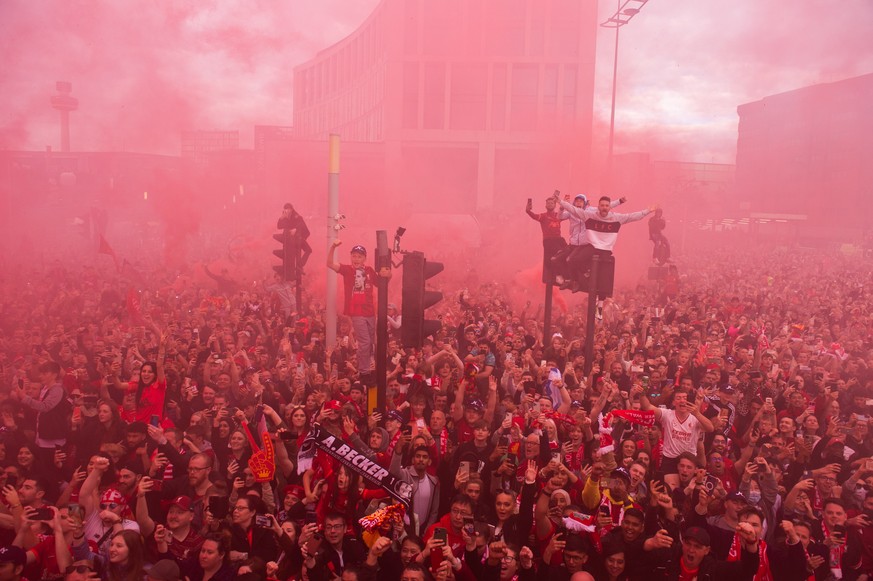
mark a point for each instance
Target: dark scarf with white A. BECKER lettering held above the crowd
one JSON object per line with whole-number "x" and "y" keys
{"x": 354, "y": 460}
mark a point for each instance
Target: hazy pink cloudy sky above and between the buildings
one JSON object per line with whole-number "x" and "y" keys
{"x": 145, "y": 69}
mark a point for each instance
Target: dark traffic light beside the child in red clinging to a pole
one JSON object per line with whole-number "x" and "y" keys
{"x": 414, "y": 327}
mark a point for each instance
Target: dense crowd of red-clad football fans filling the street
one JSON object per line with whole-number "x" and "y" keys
{"x": 721, "y": 431}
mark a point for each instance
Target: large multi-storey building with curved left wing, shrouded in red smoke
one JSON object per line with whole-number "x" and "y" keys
{"x": 500, "y": 92}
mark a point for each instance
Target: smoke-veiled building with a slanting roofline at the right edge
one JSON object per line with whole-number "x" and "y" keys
{"x": 807, "y": 153}
